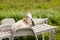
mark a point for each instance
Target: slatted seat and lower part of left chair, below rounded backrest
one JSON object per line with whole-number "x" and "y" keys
{"x": 4, "y": 32}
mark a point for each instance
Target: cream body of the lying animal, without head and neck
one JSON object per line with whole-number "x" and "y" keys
{"x": 19, "y": 24}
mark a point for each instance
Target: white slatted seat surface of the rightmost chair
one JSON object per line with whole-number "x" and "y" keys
{"x": 42, "y": 27}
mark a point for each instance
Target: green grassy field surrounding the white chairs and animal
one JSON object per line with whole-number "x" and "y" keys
{"x": 39, "y": 8}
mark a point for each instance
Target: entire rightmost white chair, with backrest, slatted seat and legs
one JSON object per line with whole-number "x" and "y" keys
{"x": 41, "y": 26}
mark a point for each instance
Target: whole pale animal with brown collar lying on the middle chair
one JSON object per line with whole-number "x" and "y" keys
{"x": 26, "y": 22}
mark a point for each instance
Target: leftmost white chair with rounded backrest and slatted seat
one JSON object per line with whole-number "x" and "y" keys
{"x": 4, "y": 28}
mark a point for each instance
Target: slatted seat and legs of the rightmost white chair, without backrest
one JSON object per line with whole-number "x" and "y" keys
{"x": 42, "y": 28}
